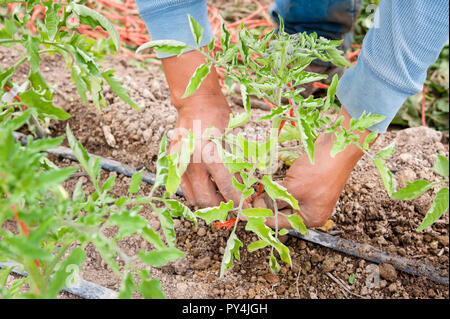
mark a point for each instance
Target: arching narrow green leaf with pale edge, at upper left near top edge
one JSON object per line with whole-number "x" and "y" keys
{"x": 93, "y": 18}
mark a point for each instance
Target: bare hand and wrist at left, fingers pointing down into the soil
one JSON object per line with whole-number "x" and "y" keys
{"x": 206, "y": 181}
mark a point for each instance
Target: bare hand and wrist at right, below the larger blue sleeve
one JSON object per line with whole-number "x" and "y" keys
{"x": 317, "y": 186}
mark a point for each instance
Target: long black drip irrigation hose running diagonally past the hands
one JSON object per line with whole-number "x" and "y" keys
{"x": 363, "y": 251}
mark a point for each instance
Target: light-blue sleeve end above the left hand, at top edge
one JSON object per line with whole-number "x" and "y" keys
{"x": 170, "y": 22}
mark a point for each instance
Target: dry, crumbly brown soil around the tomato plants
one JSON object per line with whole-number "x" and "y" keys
{"x": 364, "y": 213}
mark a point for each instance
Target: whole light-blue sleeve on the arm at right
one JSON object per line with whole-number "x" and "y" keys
{"x": 405, "y": 39}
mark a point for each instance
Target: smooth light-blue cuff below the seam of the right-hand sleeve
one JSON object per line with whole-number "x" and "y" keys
{"x": 361, "y": 90}
